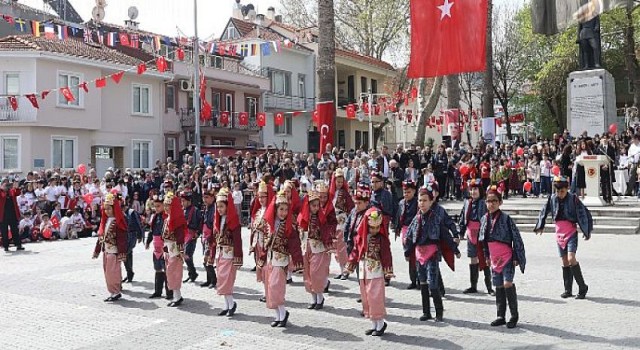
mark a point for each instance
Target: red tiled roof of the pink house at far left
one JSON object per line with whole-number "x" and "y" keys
{"x": 76, "y": 48}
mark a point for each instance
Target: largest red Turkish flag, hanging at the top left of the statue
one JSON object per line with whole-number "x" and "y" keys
{"x": 447, "y": 37}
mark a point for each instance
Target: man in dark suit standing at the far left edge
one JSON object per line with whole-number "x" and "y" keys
{"x": 9, "y": 213}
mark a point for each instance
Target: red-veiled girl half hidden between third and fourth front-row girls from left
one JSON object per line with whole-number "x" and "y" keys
{"x": 259, "y": 228}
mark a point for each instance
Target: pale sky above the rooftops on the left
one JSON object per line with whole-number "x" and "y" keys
{"x": 168, "y": 16}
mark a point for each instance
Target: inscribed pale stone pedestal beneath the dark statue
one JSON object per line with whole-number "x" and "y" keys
{"x": 591, "y": 102}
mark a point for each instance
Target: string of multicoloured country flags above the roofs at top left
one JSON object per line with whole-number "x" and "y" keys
{"x": 135, "y": 40}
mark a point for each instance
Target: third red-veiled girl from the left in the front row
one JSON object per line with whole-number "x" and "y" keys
{"x": 228, "y": 246}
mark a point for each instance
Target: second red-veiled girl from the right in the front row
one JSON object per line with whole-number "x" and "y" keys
{"x": 317, "y": 241}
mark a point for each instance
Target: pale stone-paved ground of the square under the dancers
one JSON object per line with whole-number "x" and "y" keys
{"x": 51, "y": 298}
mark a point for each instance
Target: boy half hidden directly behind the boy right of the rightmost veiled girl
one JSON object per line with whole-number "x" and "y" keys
{"x": 407, "y": 210}
